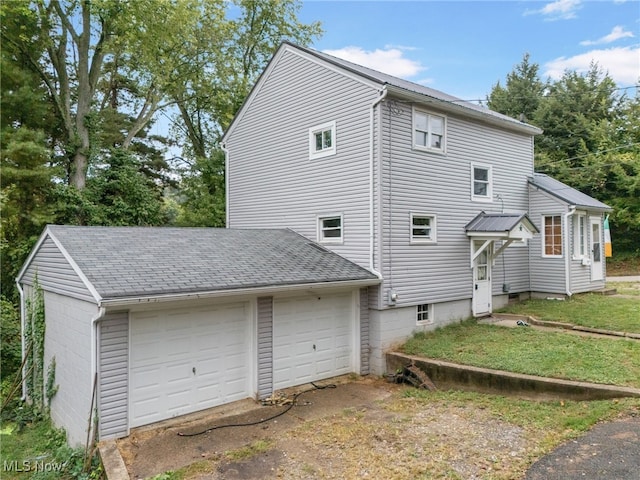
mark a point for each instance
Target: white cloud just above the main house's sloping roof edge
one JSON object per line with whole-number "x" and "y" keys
{"x": 389, "y": 60}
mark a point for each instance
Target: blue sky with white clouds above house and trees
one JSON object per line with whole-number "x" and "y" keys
{"x": 464, "y": 47}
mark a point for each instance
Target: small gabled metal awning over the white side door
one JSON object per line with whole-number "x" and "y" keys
{"x": 501, "y": 226}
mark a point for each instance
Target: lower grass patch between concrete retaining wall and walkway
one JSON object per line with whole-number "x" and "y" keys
{"x": 533, "y": 352}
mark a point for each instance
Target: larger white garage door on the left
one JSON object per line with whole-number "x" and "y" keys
{"x": 185, "y": 361}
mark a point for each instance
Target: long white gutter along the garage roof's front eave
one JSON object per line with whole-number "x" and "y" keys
{"x": 172, "y": 297}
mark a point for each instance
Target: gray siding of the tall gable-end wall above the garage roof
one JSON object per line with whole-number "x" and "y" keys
{"x": 271, "y": 144}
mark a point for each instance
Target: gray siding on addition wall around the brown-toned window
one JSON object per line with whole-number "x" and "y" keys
{"x": 547, "y": 273}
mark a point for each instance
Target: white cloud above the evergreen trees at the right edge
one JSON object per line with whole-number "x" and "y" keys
{"x": 621, "y": 63}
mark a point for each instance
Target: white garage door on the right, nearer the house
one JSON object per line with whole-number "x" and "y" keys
{"x": 312, "y": 339}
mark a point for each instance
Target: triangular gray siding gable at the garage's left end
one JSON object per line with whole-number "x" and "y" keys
{"x": 54, "y": 273}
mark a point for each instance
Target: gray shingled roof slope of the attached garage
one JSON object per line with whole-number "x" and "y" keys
{"x": 126, "y": 262}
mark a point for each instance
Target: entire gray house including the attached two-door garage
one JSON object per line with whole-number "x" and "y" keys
{"x": 361, "y": 208}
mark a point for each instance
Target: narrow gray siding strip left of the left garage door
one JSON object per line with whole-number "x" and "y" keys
{"x": 114, "y": 375}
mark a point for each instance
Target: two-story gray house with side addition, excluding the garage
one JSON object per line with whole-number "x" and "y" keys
{"x": 435, "y": 195}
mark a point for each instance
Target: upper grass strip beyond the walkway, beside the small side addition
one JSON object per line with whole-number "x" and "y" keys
{"x": 588, "y": 310}
